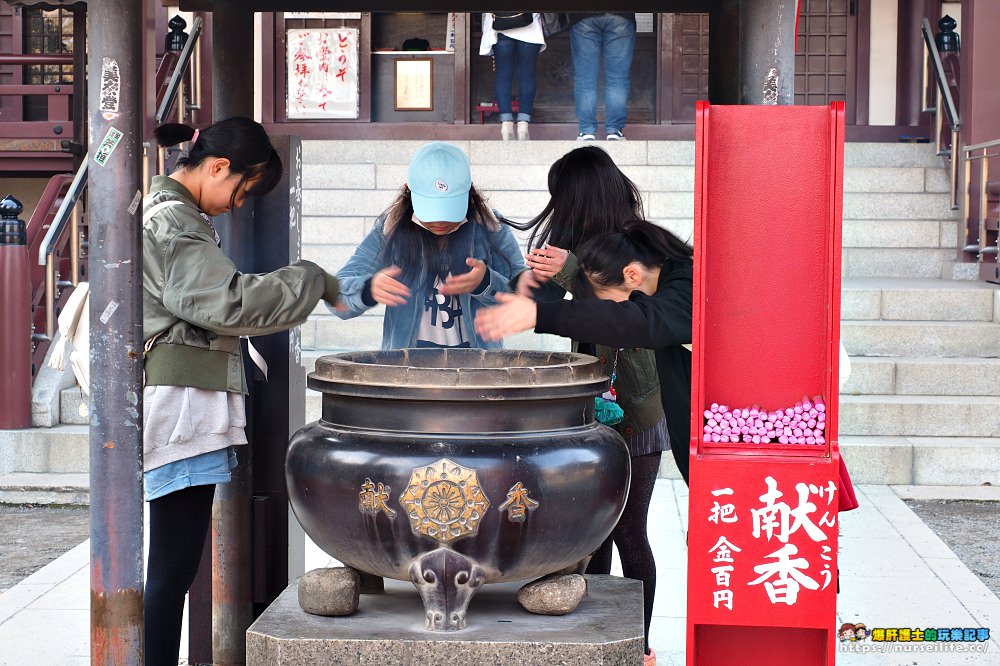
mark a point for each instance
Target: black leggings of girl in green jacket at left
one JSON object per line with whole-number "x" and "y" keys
{"x": 178, "y": 525}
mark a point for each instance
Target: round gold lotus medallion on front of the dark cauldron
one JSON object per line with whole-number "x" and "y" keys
{"x": 444, "y": 501}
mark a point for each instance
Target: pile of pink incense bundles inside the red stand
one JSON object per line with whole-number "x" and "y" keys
{"x": 805, "y": 423}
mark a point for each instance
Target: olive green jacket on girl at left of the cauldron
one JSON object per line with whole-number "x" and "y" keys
{"x": 196, "y": 304}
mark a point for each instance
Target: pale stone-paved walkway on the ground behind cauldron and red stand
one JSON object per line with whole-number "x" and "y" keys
{"x": 895, "y": 572}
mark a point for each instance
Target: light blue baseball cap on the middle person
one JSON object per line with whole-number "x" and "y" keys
{"x": 439, "y": 180}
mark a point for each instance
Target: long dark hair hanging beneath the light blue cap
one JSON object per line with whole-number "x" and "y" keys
{"x": 421, "y": 253}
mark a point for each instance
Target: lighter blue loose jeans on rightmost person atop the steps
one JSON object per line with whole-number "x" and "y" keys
{"x": 614, "y": 37}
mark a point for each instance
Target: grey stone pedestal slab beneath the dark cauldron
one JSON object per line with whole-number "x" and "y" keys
{"x": 388, "y": 630}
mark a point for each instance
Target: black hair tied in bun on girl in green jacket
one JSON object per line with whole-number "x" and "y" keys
{"x": 240, "y": 140}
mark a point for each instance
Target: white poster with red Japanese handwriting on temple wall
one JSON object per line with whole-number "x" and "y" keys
{"x": 322, "y": 73}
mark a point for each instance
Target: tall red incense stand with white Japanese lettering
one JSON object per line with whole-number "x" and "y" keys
{"x": 762, "y": 539}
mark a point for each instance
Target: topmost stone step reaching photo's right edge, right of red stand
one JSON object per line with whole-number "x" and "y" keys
{"x": 917, "y": 299}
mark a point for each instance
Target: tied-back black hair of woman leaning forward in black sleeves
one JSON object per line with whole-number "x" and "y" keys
{"x": 603, "y": 258}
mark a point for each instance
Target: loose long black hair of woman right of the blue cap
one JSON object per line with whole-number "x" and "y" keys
{"x": 589, "y": 195}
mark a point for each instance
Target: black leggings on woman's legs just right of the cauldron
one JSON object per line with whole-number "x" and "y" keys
{"x": 630, "y": 536}
